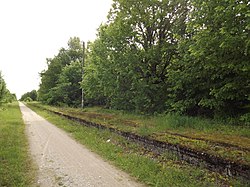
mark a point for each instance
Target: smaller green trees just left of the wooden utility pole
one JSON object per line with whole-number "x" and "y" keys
{"x": 60, "y": 82}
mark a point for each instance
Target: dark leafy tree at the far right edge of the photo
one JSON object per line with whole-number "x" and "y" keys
{"x": 212, "y": 74}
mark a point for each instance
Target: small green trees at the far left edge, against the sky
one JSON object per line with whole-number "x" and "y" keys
{"x": 5, "y": 95}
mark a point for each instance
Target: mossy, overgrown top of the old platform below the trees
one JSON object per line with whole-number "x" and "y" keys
{"x": 211, "y": 136}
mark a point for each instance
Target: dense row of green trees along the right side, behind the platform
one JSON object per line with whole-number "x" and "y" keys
{"x": 185, "y": 56}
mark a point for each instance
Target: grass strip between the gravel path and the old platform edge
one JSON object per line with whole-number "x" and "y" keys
{"x": 166, "y": 170}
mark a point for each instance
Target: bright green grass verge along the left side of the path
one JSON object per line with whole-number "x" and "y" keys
{"x": 15, "y": 162}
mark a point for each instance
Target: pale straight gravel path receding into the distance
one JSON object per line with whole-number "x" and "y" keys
{"x": 62, "y": 161}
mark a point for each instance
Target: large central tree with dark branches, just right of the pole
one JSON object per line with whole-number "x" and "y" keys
{"x": 129, "y": 59}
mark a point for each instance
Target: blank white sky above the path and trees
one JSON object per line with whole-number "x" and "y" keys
{"x": 33, "y": 30}
